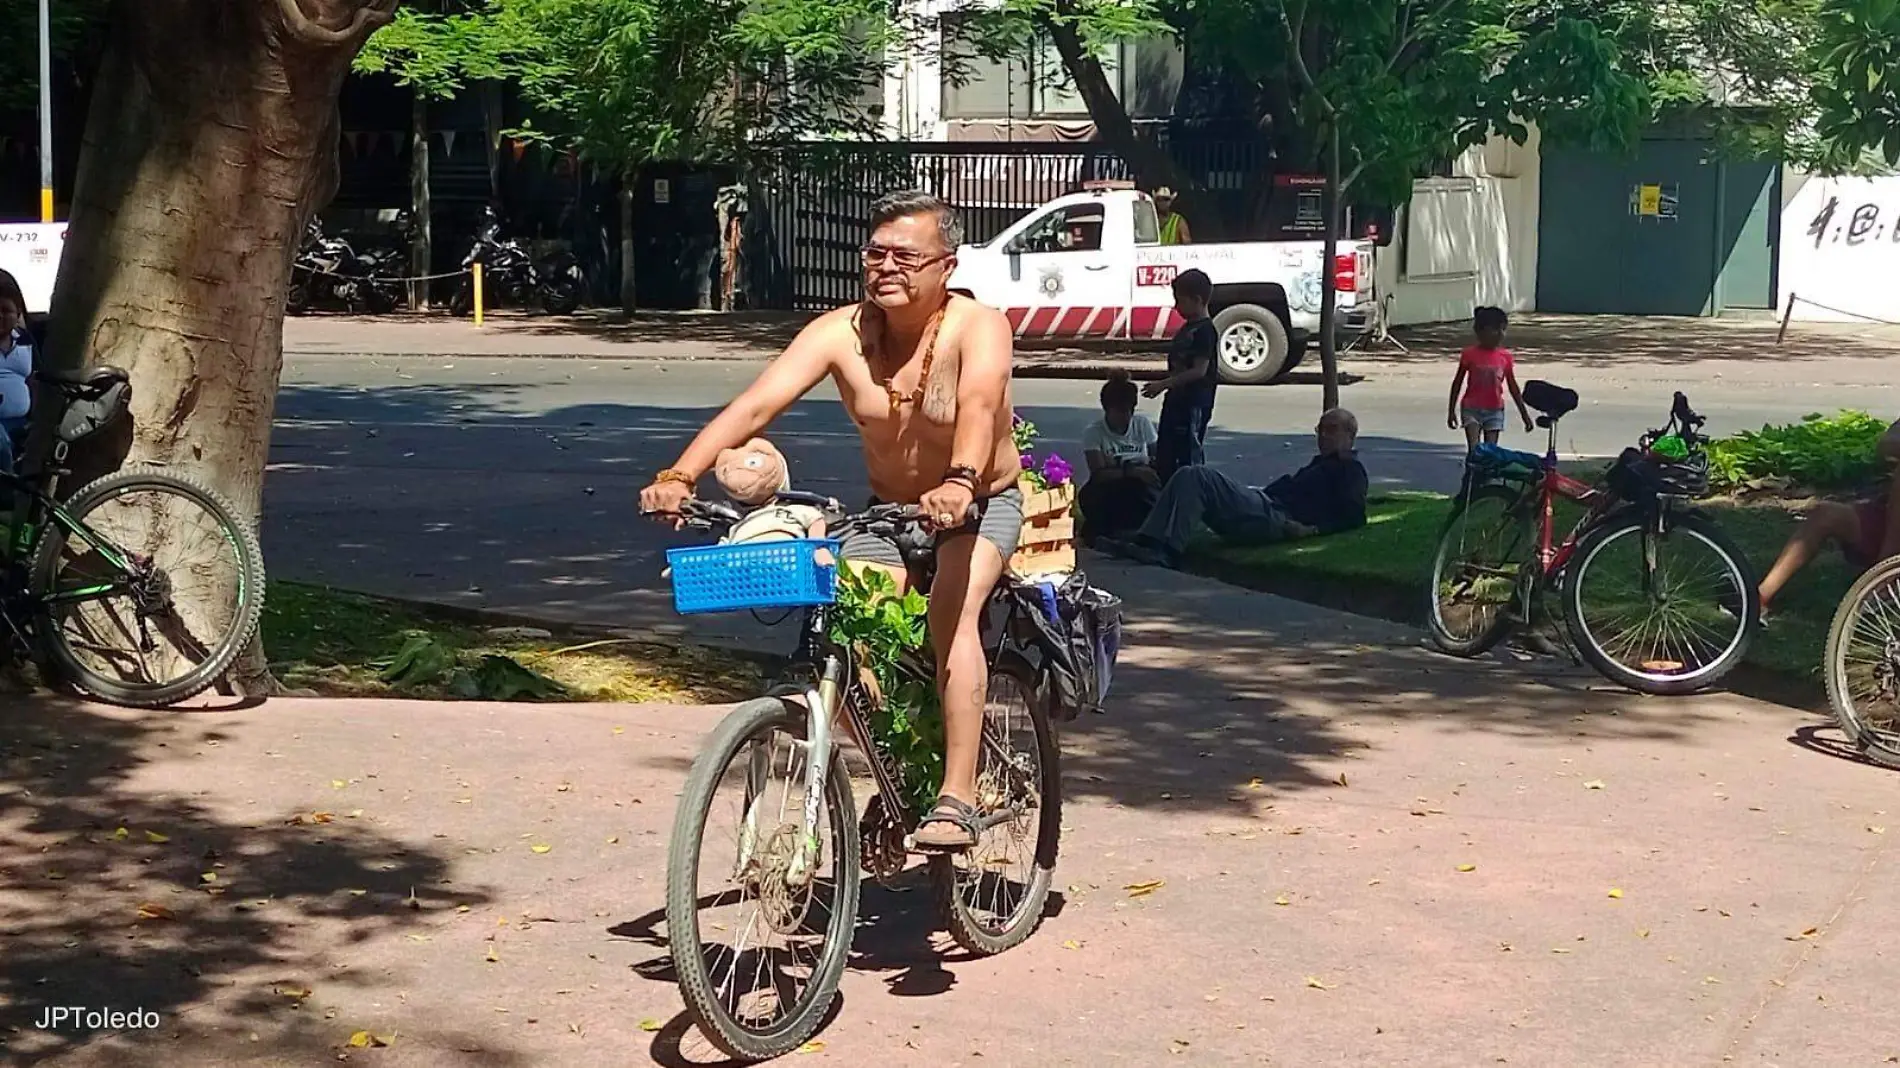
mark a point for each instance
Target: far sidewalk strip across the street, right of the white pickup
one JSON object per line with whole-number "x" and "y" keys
{"x": 1610, "y": 341}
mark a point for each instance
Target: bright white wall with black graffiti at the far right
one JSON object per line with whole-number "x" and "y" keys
{"x": 1840, "y": 250}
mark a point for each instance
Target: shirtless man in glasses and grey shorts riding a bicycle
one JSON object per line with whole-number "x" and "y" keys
{"x": 924, "y": 375}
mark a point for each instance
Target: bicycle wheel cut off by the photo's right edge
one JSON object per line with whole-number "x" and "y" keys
{"x": 1865, "y": 664}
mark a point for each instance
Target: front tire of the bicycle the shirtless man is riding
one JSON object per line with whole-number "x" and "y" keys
{"x": 683, "y": 888}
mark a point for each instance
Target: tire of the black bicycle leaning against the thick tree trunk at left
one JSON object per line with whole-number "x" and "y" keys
{"x": 56, "y": 647}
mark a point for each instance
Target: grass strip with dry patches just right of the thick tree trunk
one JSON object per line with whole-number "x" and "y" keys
{"x": 343, "y": 645}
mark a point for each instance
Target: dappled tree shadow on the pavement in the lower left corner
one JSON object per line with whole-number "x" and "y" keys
{"x": 136, "y": 896}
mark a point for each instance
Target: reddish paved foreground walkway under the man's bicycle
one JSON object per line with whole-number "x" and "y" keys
{"x": 1308, "y": 788}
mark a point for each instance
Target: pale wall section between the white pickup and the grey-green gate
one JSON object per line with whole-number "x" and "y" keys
{"x": 1468, "y": 240}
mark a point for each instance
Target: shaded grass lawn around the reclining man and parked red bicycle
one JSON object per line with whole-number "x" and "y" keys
{"x": 1382, "y": 569}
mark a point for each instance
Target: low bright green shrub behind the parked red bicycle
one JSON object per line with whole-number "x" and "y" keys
{"x": 1821, "y": 453}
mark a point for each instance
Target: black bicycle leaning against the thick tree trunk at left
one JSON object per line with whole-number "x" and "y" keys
{"x": 94, "y": 607}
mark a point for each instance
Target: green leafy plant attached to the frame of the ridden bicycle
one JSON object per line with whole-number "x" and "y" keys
{"x": 881, "y": 628}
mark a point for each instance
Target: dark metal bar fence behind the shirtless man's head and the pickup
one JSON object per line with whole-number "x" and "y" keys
{"x": 816, "y": 200}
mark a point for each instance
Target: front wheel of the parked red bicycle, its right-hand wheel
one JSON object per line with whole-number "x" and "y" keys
{"x": 1662, "y": 613}
